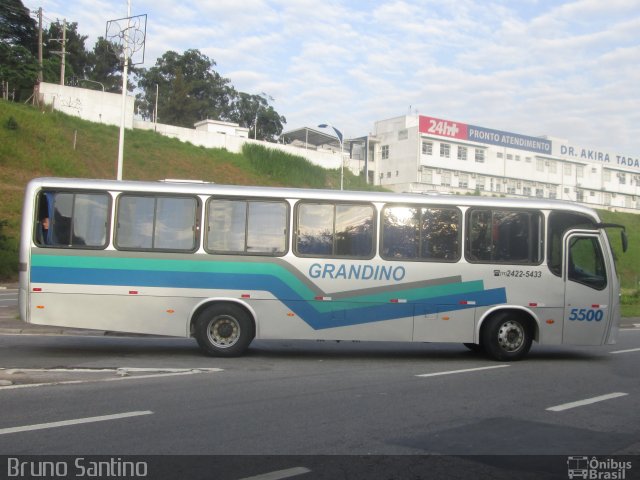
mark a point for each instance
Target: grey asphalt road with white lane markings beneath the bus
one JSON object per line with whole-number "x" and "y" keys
{"x": 90, "y": 395}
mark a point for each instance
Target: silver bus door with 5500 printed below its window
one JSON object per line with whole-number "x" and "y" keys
{"x": 588, "y": 302}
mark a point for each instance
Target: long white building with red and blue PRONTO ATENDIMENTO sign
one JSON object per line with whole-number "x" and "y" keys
{"x": 423, "y": 154}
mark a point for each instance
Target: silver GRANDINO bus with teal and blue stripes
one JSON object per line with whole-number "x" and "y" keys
{"x": 230, "y": 264}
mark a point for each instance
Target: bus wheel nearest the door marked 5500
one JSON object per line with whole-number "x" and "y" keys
{"x": 506, "y": 336}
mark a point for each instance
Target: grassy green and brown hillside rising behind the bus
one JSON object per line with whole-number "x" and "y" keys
{"x": 34, "y": 143}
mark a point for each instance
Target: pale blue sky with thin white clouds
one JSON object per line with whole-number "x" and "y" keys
{"x": 566, "y": 69}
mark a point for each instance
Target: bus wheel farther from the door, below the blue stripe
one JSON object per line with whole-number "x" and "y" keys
{"x": 224, "y": 330}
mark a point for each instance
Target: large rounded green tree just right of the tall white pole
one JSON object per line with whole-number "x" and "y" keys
{"x": 189, "y": 89}
